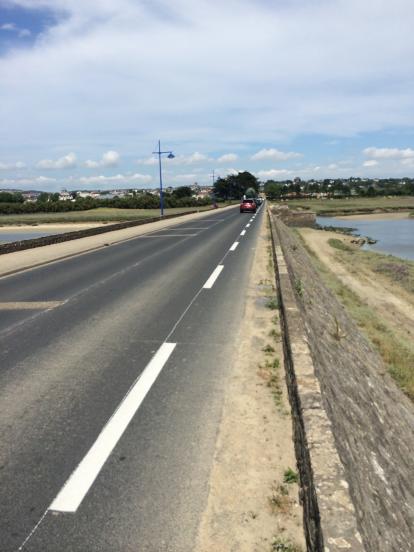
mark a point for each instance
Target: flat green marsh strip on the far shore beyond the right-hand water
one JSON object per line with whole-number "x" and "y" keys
{"x": 353, "y": 205}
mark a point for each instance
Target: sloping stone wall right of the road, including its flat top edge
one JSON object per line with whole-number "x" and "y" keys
{"x": 354, "y": 428}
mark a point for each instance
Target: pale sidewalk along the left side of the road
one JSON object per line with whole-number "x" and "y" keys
{"x": 30, "y": 258}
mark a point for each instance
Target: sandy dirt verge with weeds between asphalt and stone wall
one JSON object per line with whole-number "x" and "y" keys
{"x": 250, "y": 507}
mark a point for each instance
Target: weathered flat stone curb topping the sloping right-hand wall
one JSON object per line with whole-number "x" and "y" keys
{"x": 329, "y": 515}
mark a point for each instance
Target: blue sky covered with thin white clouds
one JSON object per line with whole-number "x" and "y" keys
{"x": 281, "y": 88}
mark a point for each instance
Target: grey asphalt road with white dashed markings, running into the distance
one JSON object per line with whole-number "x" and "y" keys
{"x": 112, "y": 369}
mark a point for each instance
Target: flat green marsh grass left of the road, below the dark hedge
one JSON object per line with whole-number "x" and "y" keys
{"x": 101, "y": 214}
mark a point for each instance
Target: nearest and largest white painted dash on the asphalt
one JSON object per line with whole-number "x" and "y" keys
{"x": 78, "y": 484}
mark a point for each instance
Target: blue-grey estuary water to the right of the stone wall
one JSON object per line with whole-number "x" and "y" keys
{"x": 395, "y": 237}
